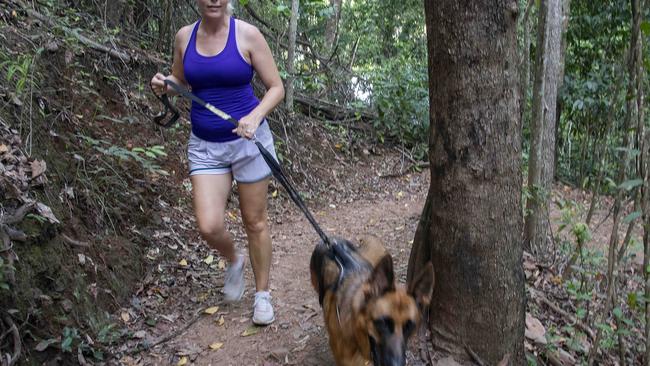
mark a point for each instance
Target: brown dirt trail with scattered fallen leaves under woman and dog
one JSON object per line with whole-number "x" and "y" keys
{"x": 297, "y": 337}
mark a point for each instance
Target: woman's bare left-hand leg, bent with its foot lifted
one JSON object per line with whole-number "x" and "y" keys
{"x": 210, "y": 196}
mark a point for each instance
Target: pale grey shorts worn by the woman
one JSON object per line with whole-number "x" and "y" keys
{"x": 241, "y": 156}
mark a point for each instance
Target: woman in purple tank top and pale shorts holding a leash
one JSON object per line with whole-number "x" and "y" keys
{"x": 216, "y": 57}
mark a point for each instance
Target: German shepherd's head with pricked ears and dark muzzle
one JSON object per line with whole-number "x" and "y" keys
{"x": 392, "y": 313}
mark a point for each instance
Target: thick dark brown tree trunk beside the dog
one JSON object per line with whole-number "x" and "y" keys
{"x": 470, "y": 227}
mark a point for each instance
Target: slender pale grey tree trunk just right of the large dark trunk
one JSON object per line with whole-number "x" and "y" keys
{"x": 542, "y": 147}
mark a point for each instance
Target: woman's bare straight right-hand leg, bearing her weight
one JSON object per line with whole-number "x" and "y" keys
{"x": 253, "y": 203}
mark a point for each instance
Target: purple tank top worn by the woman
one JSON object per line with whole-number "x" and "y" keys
{"x": 224, "y": 81}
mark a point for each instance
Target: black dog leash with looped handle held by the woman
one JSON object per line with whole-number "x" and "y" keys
{"x": 275, "y": 167}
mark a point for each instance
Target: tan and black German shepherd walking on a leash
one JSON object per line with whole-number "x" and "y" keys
{"x": 368, "y": 316}
